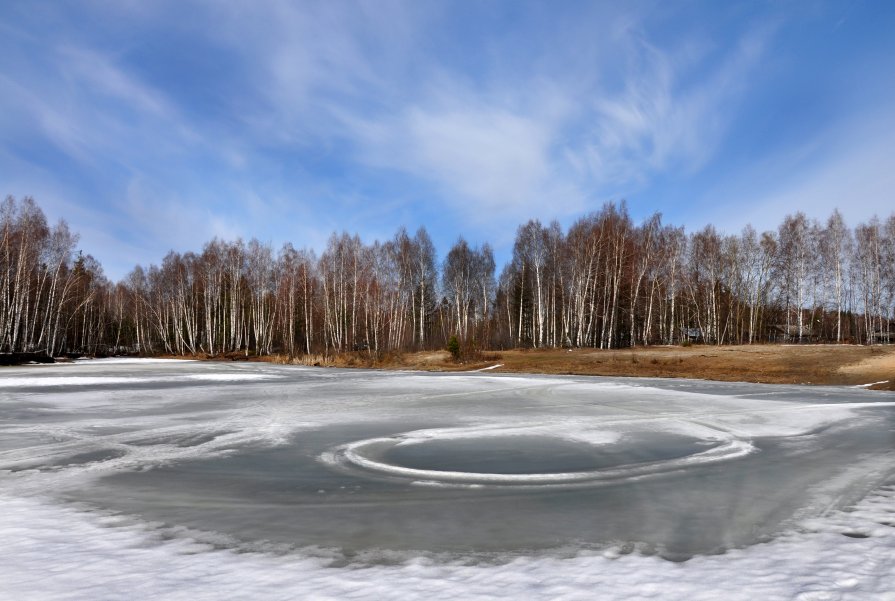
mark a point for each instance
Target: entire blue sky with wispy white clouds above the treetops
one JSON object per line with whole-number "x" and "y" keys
{"x": 152, "y": 126}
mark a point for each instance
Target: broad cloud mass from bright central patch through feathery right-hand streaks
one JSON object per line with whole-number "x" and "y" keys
{"x": 541, "y": 145}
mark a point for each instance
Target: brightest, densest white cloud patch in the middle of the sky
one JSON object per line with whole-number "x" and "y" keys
{"x": 479, "y": 153}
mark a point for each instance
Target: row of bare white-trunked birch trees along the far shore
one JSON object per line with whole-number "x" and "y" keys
{"x": 605, "y": 282}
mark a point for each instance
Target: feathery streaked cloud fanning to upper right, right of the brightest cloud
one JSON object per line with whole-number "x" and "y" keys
{"x": 657, "y": 122}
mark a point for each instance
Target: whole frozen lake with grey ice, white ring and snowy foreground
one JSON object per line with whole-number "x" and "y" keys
{"x": 187, "y": 479}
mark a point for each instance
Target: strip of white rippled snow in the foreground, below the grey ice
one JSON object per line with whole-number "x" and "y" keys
{"x": 53, "y": 552}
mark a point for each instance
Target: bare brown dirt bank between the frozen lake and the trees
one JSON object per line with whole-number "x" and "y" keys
{"x": 782, "y": 364}
